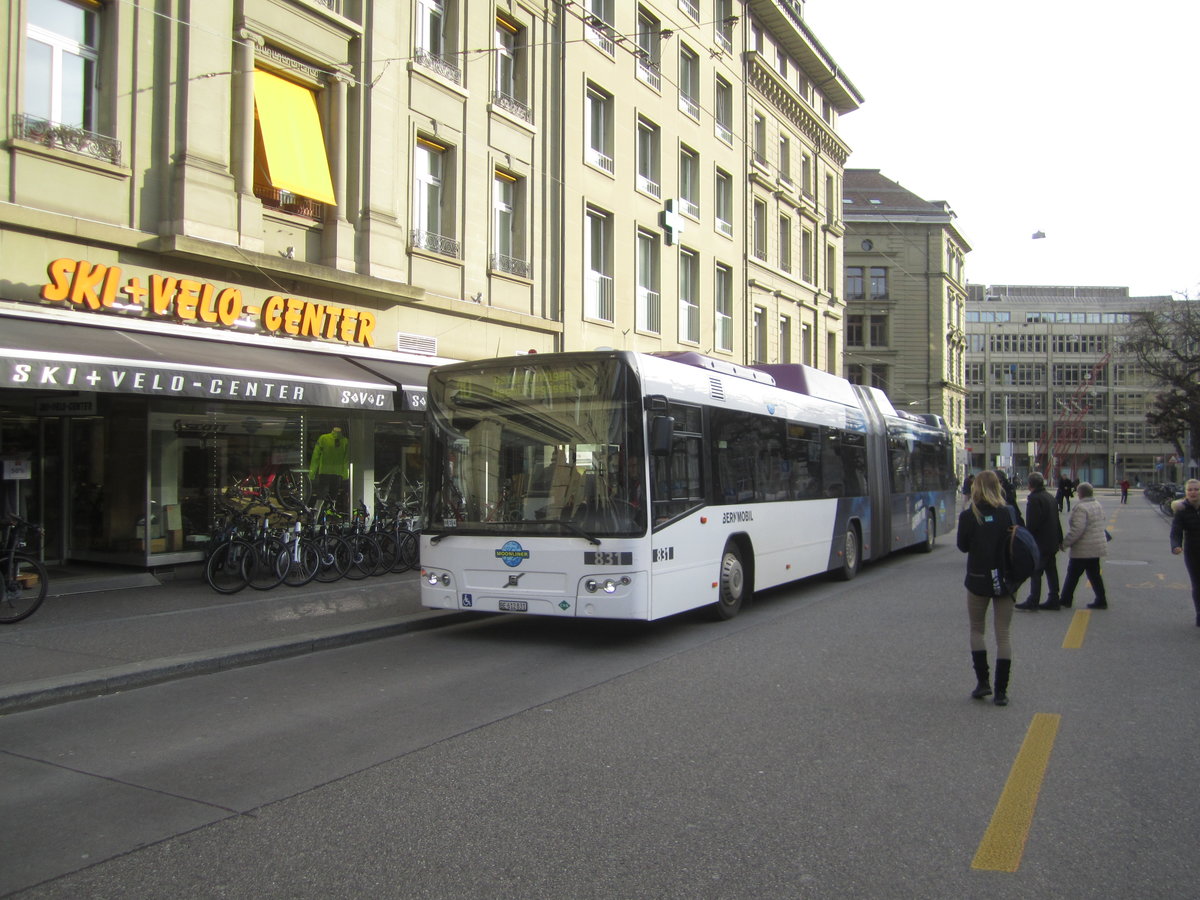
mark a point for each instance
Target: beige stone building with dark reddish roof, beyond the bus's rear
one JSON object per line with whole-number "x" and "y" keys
{"x": 907, "y": 295}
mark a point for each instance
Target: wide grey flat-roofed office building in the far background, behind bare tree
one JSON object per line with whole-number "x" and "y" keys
{"x": 1051, "y": 391}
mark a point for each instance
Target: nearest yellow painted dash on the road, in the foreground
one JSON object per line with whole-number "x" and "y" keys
{"x": 1004, "y": 843}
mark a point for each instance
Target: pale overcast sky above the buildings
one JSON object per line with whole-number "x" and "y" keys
{"x": 1075, "y": 118}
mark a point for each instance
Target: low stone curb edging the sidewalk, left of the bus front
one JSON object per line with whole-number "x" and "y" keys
{"x": 112, "y": 680}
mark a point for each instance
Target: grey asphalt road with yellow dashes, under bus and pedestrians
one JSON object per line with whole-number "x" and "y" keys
{"x": 823, "y": 745}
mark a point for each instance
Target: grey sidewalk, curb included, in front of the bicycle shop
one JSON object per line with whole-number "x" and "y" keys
{"x": 100, "y": 635}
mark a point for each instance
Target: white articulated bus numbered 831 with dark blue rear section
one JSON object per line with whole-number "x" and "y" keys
{"x": 634, "y": 487}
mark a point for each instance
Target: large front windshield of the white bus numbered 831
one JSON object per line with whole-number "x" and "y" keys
{"x": 537, "y": 448}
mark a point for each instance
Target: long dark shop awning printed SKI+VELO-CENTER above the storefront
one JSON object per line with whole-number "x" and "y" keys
{"x": 62, "y": 357}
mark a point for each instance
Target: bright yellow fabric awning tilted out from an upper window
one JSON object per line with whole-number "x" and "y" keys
{"x": 296, "y": 148}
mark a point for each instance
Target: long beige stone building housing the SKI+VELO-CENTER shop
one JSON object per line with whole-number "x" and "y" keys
{"x": 229, "y": 227}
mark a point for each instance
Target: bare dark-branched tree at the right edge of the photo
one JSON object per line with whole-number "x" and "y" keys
{"x": 1166, "y": 341}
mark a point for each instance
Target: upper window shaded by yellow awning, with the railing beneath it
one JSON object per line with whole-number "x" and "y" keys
{"x": 291, "y": 166}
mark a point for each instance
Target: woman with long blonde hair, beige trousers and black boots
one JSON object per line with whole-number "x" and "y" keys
{"x": 983, "y": 532}
